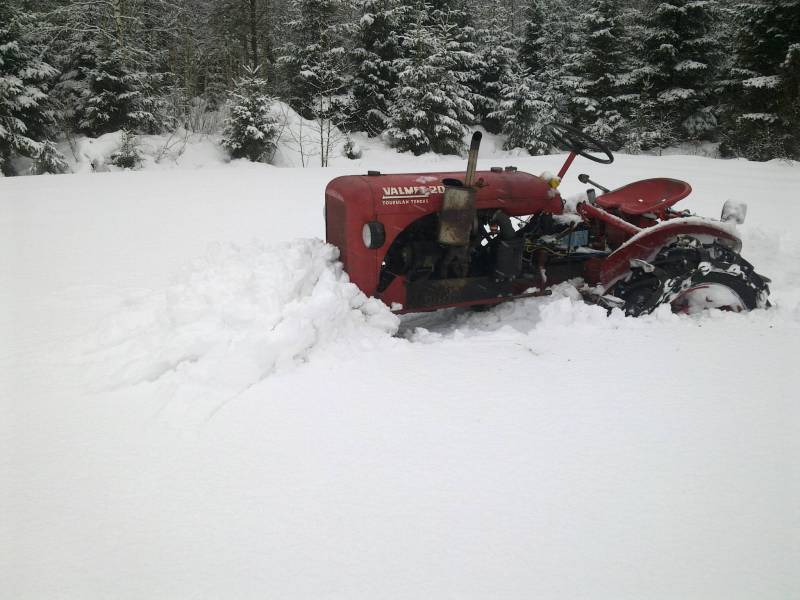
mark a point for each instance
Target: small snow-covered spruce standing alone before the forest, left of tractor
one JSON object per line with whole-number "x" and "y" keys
{"x": 251, "y": 130}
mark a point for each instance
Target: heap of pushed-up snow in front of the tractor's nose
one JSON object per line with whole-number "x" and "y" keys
{"x": 242, "y": 314}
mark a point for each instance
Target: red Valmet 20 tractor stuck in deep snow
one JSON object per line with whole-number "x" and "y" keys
{"x": 424, "y": 241}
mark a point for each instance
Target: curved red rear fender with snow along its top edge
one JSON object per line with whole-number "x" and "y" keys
{"x": 646, "y": 244}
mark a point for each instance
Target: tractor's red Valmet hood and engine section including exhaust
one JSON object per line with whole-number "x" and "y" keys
{"x": 421, "y": 241}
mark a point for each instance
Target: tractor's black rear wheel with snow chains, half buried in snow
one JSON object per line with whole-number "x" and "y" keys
{"x": 687, "y": 267}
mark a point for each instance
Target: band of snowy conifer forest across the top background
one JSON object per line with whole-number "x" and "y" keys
{"x": 642, "y": 76}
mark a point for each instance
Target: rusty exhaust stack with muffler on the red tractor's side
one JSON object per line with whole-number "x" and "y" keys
{"x": 458, "y": 207}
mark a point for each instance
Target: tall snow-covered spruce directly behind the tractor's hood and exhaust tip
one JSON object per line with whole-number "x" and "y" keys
{"x": 430, "y": 105}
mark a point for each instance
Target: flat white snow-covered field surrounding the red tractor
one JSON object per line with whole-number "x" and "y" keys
{"x": 196, "y": 404}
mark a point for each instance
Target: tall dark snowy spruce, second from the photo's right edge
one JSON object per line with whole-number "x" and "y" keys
{"x": 683, "y": 56}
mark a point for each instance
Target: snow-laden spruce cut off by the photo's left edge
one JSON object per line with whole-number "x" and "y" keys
{"x": 24, "y": 114}
